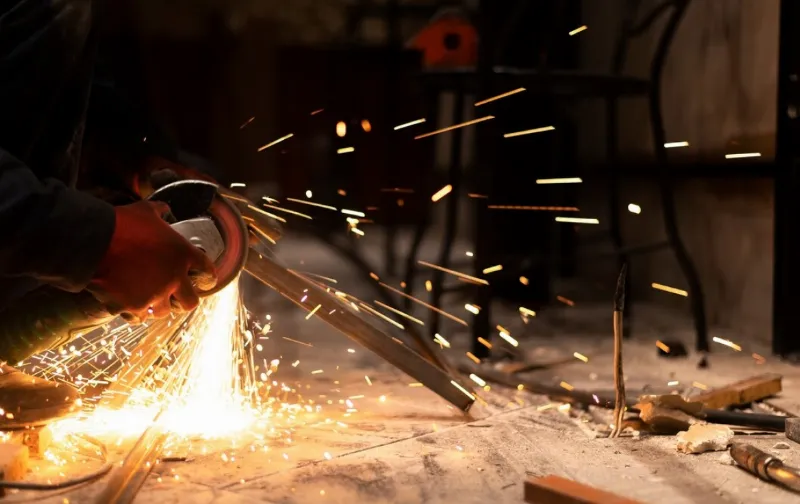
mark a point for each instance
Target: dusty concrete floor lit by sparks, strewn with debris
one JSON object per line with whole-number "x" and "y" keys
{"x": 413, "y": 447}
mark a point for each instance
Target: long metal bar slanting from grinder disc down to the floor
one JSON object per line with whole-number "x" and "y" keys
{"x": 332, "y": 311}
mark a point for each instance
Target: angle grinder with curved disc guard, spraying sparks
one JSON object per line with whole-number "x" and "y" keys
{"x": 211, "y": 218}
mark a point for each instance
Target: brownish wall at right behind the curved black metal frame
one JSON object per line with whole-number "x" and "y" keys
{"x": 719, "y": 95}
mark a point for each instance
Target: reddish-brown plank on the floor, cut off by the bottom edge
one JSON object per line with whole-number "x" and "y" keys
{"x": 556, "y": 490}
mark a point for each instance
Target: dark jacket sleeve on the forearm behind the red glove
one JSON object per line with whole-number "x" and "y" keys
{"x": 48, "y": 231}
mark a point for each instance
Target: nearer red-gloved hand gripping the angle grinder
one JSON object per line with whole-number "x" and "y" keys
{"x": 146, "y": 269}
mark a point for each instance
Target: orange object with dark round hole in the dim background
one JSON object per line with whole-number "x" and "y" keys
{"x": 447, "y": 42}
